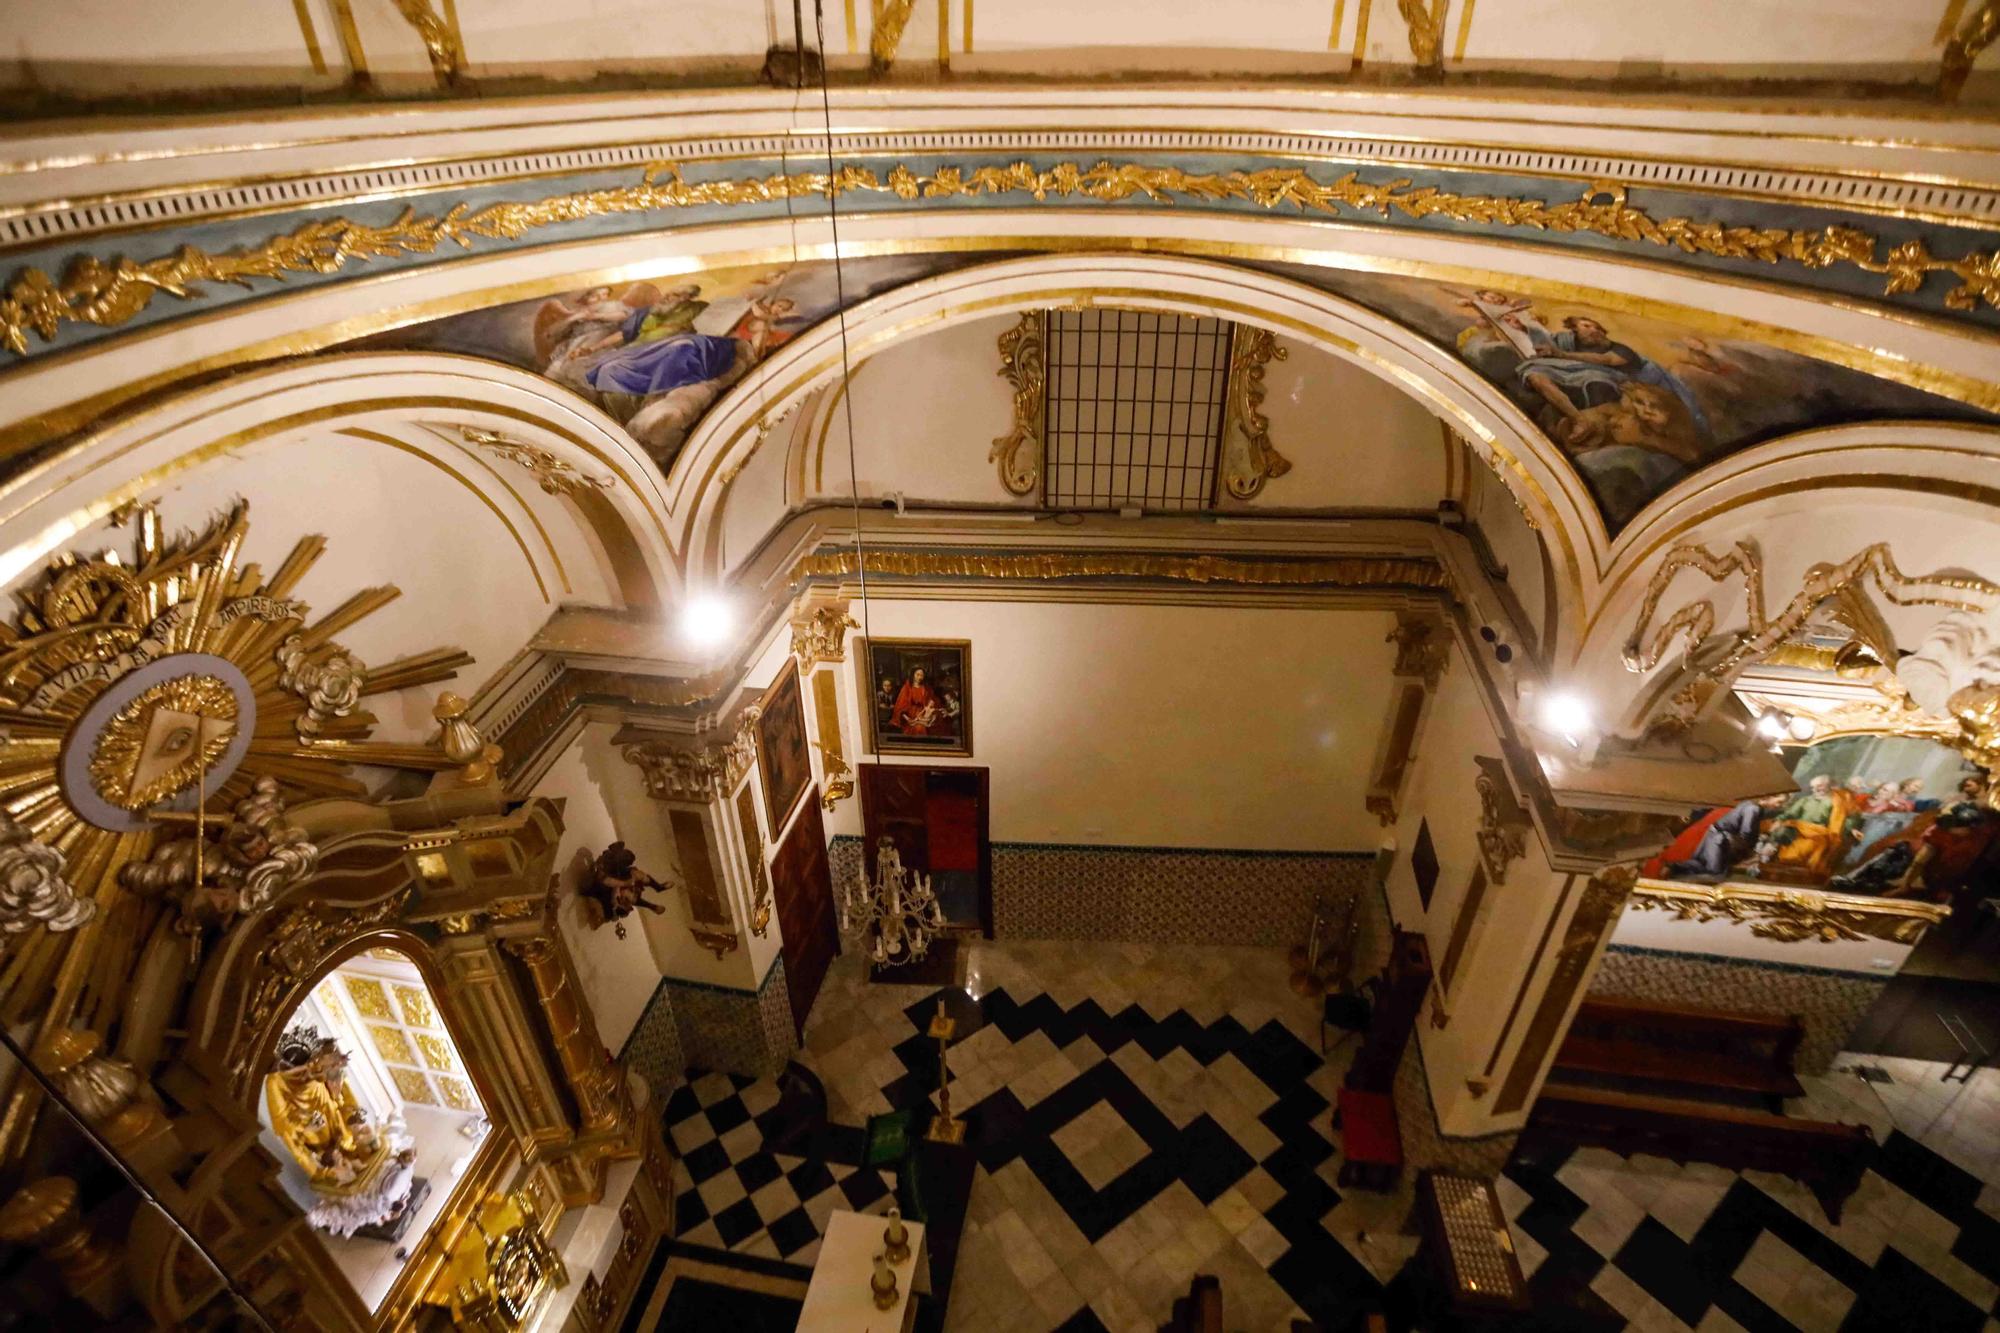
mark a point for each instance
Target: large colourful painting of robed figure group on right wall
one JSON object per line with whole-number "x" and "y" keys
{"x": 1873, "y": 816}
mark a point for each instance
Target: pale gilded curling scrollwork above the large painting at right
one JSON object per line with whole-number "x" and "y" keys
{"x": 1695, "y": 623}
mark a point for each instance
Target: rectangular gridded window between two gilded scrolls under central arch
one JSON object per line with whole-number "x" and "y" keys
{"x": 1135, "y": 409}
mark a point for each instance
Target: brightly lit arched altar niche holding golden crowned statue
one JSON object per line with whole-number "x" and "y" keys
{"x": 371, "y": 1114}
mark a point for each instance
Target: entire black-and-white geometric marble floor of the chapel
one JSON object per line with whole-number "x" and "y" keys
{"x": 1149, "y": 1114}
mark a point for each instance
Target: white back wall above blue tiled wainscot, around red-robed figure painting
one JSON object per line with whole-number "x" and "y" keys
{"x": 1167, "y": 726}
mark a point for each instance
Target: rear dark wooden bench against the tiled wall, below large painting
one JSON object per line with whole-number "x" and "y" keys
{"x": 1687, "y": 1048}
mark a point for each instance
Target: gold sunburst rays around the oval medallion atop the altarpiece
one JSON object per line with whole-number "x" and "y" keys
{"x": 83, "y": 629}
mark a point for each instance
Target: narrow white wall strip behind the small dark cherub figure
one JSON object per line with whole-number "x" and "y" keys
{"x": 617, "y": 976}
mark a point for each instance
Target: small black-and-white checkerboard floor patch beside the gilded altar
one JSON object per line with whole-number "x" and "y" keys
{"x": 733, "y": 1196}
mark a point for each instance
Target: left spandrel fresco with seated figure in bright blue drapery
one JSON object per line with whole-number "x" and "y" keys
{"x": 657, "y": 355}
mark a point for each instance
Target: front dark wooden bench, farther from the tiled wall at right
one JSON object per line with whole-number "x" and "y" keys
{"x": 1823, "y": 1156}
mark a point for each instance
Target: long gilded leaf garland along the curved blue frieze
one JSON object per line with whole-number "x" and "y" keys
{"x": 111, "y": 293}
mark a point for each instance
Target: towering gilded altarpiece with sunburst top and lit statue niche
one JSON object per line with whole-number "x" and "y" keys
{"x": 189, "y": 852}
